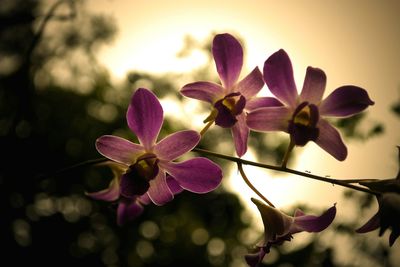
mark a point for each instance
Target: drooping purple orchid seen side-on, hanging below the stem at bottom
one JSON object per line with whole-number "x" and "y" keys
{"x": 279, "y": 227}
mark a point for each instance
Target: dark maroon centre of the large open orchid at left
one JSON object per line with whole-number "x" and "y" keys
{"x": 142, "y": 172}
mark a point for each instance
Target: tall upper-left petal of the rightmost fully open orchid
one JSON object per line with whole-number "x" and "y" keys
{"x": 278, "y": 75}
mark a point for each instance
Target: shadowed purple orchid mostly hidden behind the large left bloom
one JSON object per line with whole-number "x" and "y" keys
{"x": 128, "y": 208}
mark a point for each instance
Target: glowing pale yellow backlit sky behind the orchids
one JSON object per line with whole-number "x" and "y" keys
{"x": 354, "y": 42}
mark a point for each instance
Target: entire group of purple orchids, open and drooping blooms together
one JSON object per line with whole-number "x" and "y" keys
{"x": 147, "y": 172}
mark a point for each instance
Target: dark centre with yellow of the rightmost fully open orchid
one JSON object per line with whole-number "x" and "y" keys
{"x": 303, "y": 125}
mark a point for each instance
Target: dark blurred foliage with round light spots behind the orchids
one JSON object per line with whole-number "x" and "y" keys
{"x": 55, "y": 100}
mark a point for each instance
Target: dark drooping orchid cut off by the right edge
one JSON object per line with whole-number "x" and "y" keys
{"x": 388, "y": 215}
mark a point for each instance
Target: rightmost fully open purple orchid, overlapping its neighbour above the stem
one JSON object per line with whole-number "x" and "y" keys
{"x": 302, "y": 116}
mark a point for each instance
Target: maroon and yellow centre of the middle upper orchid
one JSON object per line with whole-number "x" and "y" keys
{"x": 228, "y": 108}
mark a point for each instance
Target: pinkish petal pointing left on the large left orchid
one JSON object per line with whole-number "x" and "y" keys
{"x": 118, "y": 149}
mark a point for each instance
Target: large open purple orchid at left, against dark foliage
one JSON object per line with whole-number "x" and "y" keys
{"x": 148, "y": 163}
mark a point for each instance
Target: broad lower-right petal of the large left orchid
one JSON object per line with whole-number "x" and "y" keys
{"x": 198, "y": 175}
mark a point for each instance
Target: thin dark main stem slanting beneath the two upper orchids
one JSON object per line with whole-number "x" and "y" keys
{"x": 287, "y": 170}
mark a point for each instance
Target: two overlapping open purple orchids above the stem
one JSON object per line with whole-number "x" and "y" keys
{"x": 235, "y": 106}
